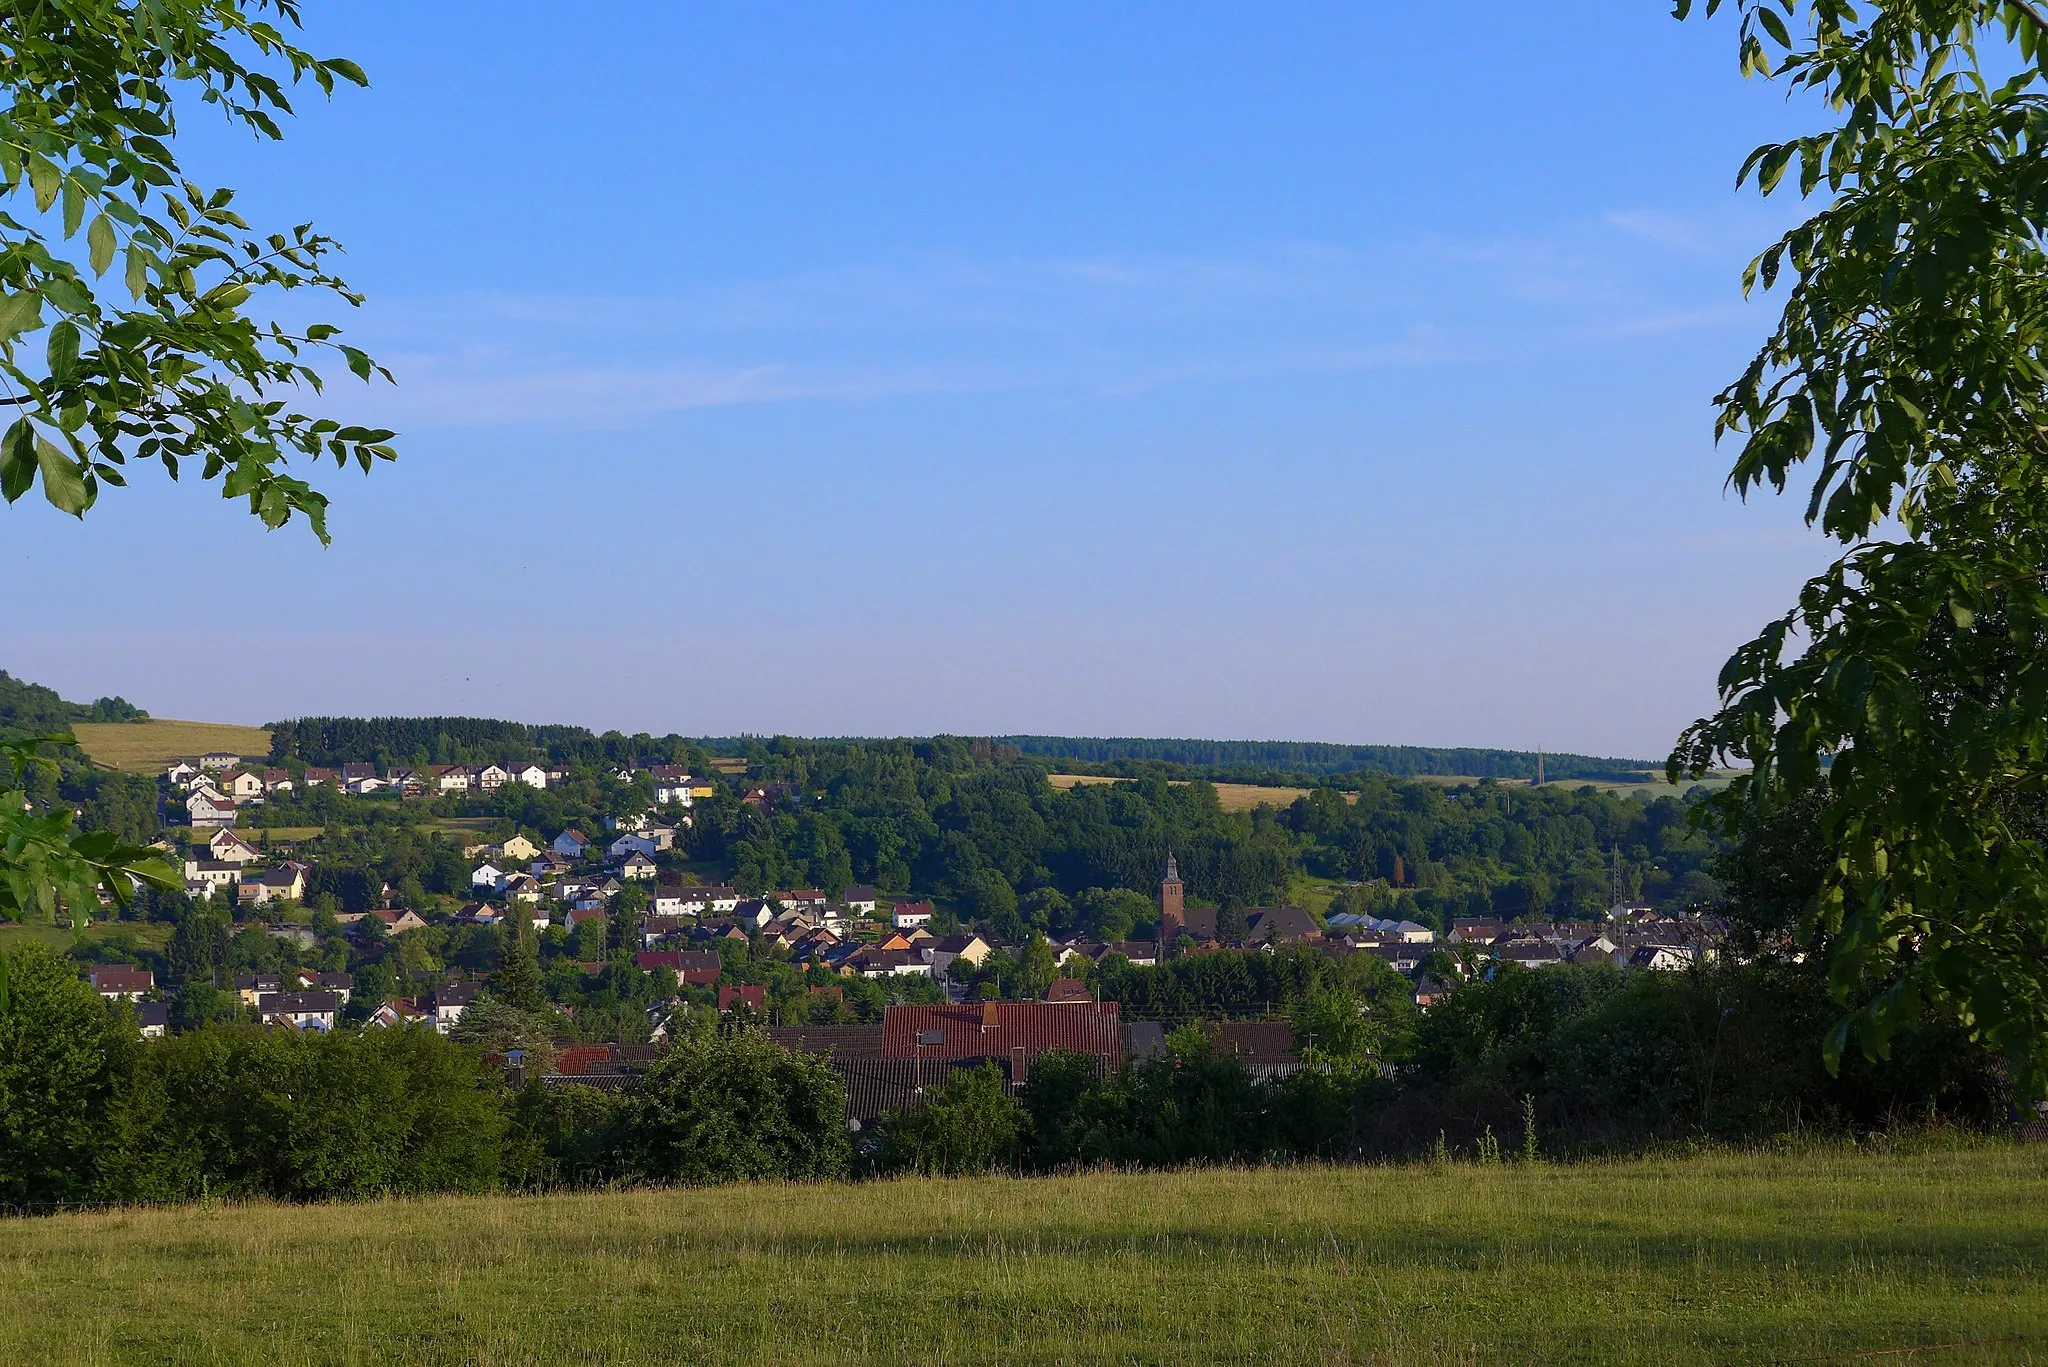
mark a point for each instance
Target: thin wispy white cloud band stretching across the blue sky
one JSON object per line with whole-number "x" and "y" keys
{"x": 1111, "y": 325}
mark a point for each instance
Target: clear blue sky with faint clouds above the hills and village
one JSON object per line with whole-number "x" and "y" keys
{"x": 1312, "y": 372}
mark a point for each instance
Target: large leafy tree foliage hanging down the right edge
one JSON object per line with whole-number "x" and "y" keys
{"x": 1908, "y": 382}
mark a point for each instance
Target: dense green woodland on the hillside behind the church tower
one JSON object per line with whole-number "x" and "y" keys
{"x": 959, "y": 821}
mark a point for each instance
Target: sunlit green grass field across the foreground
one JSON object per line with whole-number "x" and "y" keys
{"x": 1719, "y": 1259}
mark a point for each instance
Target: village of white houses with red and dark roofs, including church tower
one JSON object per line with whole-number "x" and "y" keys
{"x": 939, "y": 1007}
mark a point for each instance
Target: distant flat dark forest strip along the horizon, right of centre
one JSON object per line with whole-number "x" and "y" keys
{"x": 1308, "y": 757}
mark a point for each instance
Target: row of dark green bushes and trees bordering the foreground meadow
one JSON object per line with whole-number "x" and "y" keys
{"x": 1551, "y": 1063}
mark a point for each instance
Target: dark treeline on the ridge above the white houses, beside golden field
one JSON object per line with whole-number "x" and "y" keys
{"x": 464, "y": 741}
